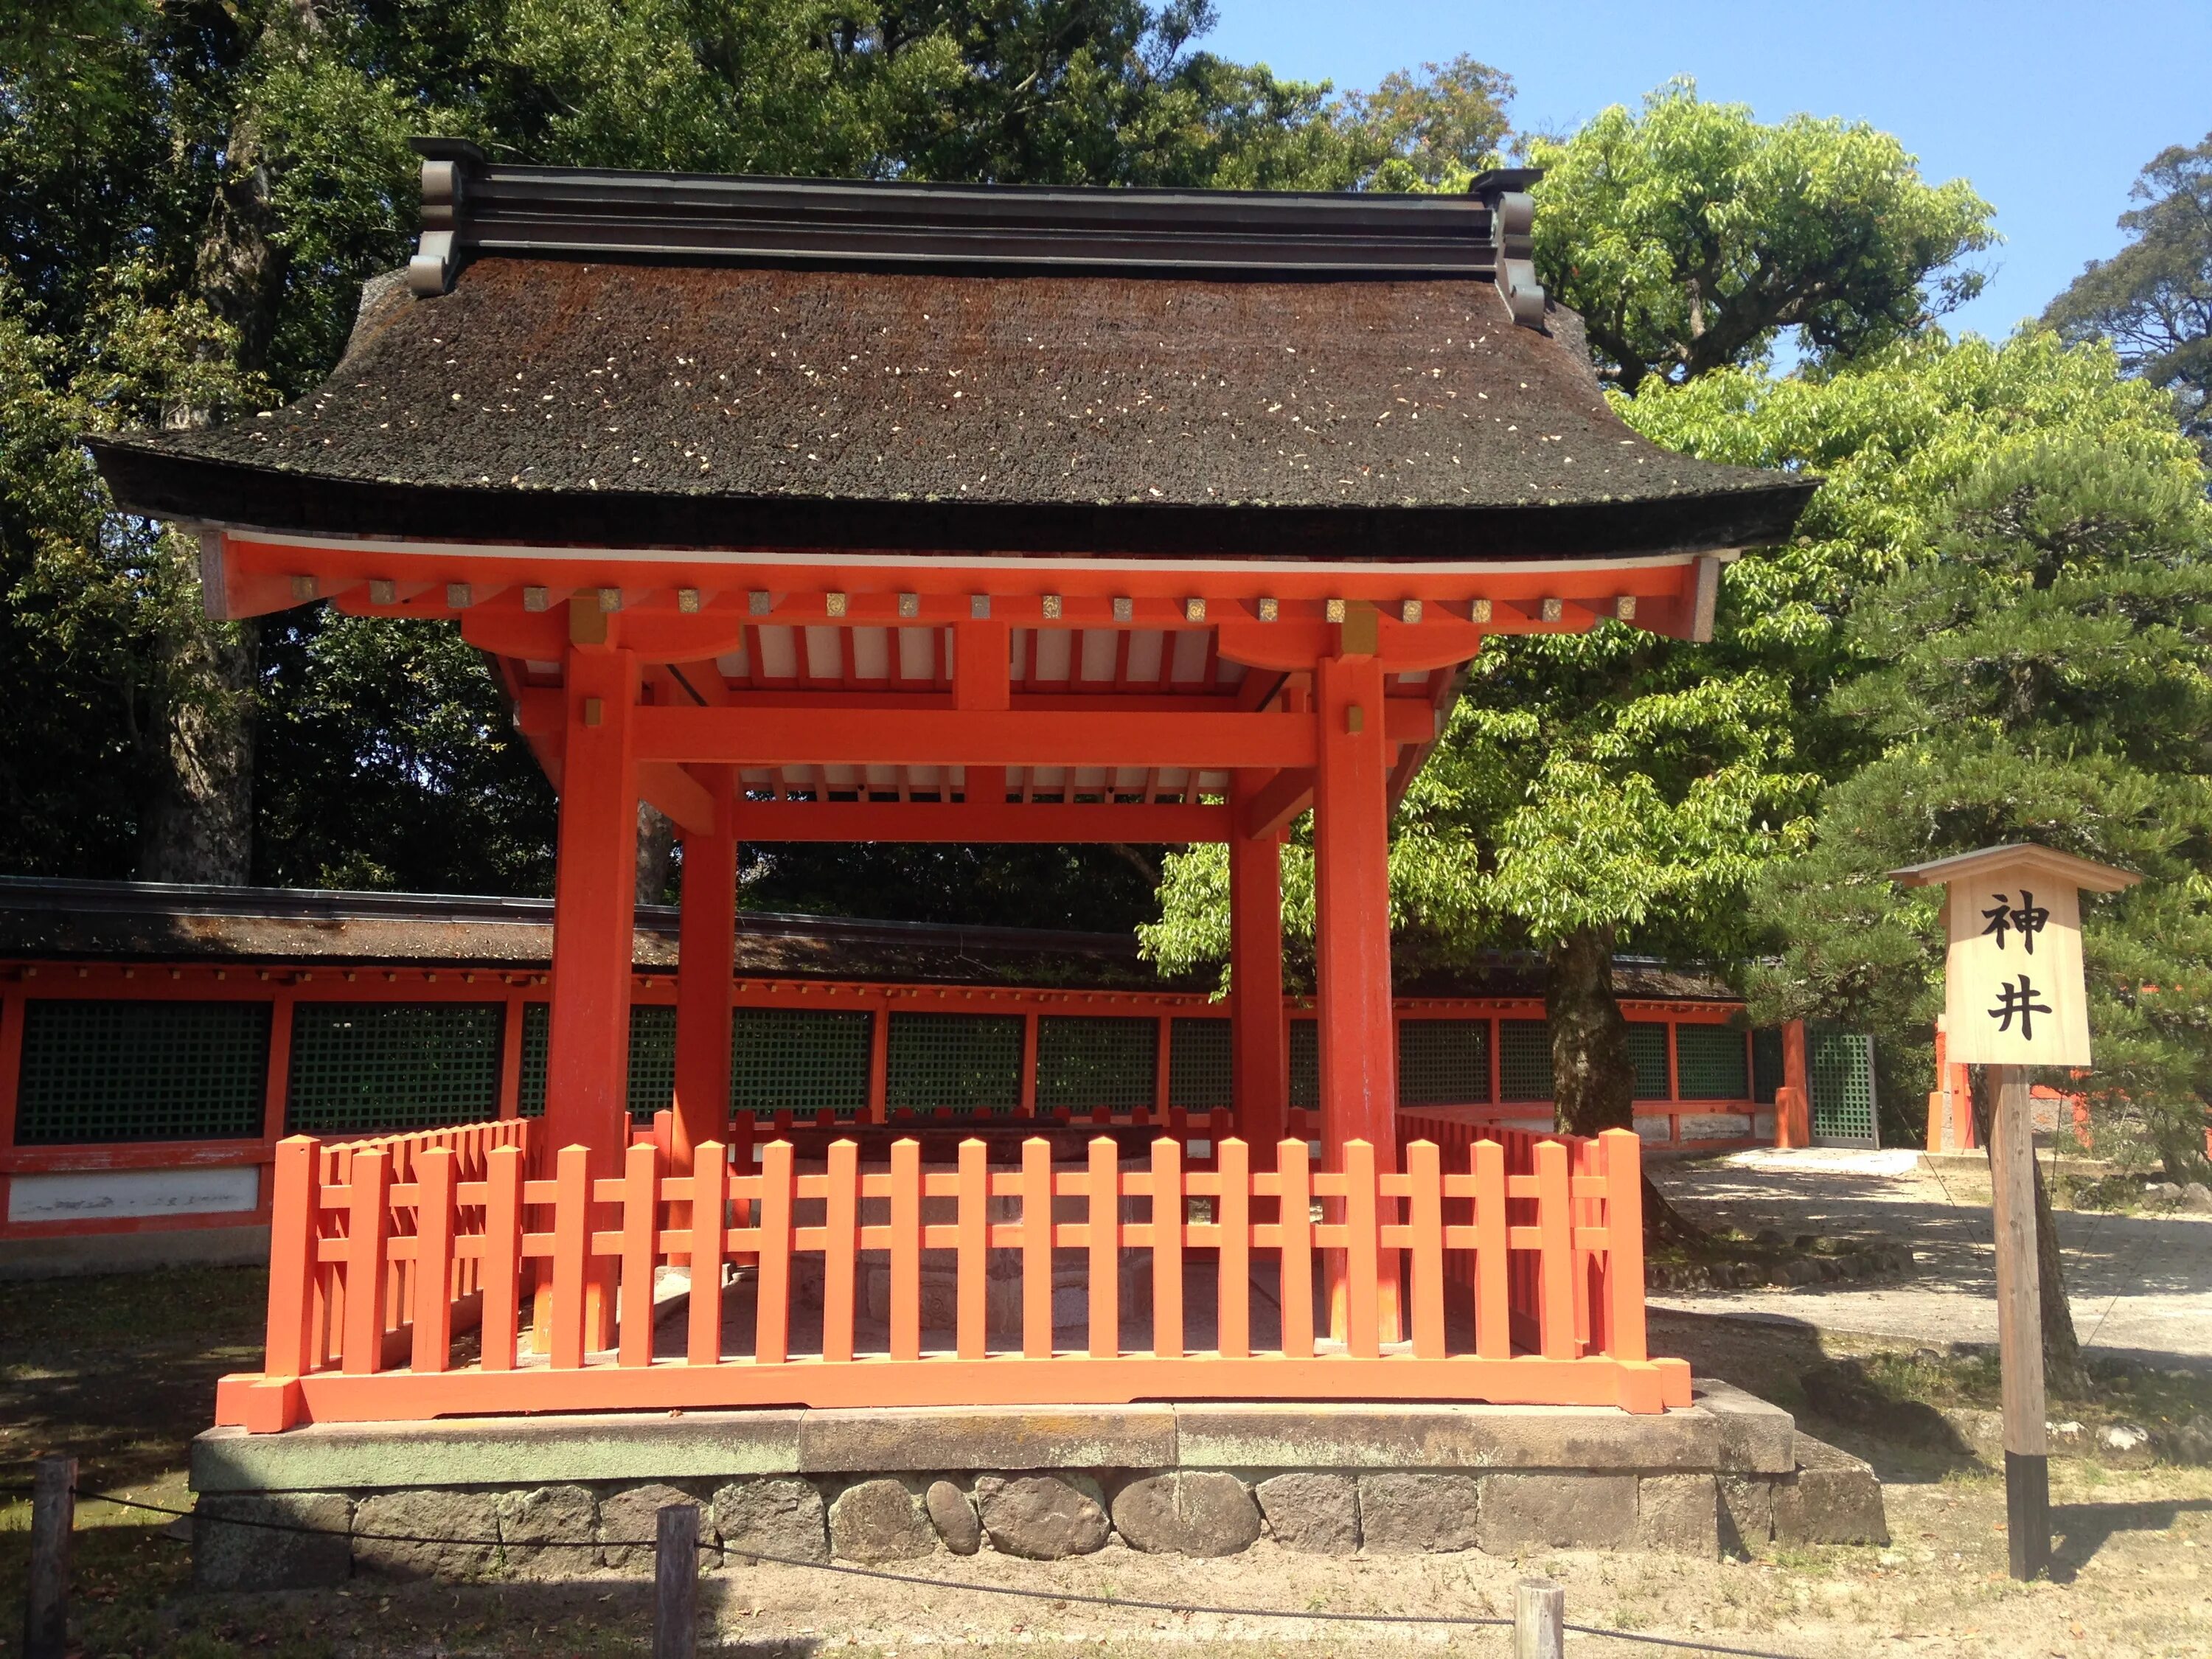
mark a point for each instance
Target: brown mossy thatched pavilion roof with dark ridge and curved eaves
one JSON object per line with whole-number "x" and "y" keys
{"x": 793, "y": 399}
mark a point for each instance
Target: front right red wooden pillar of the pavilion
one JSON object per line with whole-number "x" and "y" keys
{"x": 1353, "y": 937}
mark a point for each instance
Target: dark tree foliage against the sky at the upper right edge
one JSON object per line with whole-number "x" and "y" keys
{"x": 2153, "y": 300}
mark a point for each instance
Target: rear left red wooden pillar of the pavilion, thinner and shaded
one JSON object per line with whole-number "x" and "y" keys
{"x": 707, "y": 963}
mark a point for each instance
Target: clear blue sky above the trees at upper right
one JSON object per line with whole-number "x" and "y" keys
{"x": 2047, "y": 109}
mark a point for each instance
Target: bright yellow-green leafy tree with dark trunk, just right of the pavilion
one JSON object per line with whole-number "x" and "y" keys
{"x": 1634, "y": 789}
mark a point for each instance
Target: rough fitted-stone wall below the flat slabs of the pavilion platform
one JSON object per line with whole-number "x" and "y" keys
{"x": 585, "y": 1530}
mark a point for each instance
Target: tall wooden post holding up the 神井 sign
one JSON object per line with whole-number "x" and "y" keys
{"x": 2021, "y": 1324}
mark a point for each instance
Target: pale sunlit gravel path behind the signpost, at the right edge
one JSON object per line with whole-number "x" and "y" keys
{"x": 2138, "y": 1284}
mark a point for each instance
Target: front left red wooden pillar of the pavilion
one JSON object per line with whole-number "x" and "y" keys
{"x": 594, "y": 924}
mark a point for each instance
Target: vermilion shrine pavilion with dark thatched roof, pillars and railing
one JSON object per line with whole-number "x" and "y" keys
{"x": 888, "y": 512}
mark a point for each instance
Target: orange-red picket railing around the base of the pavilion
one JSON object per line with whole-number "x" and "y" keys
{"x": 1519, "y": 1262}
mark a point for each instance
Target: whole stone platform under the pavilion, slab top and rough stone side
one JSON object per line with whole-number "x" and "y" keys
{"x": 572, "y": 1496}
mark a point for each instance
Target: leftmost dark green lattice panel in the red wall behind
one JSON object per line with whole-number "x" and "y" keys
{"x": 143, "y": 1072}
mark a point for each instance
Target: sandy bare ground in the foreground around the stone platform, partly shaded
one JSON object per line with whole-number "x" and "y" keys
{"x": 123, "y": 1370}
